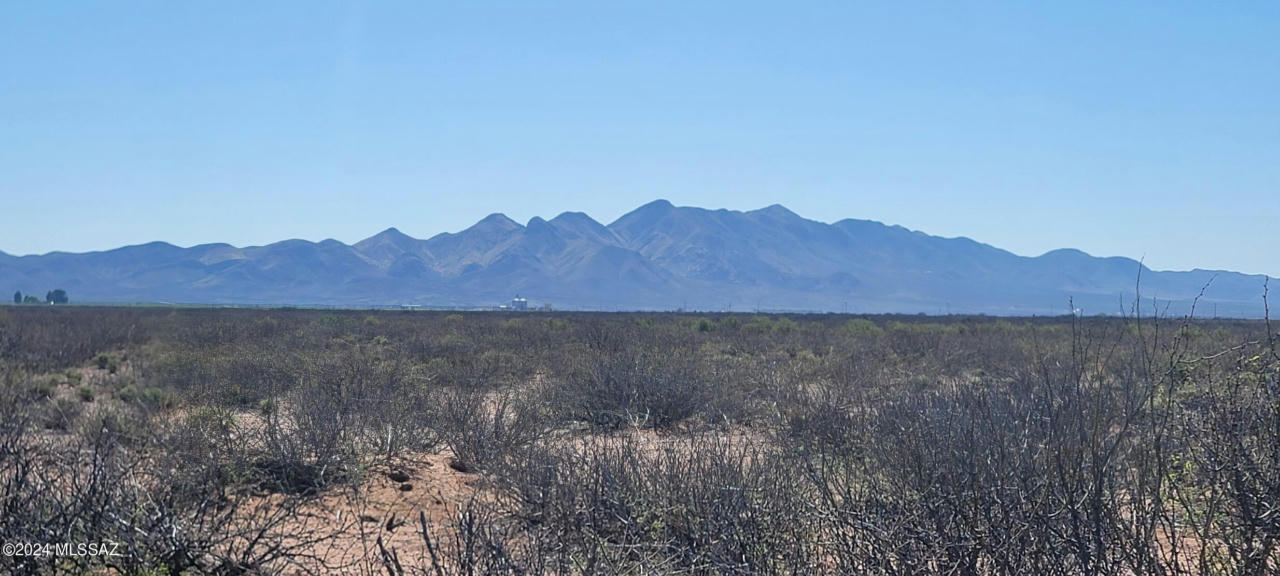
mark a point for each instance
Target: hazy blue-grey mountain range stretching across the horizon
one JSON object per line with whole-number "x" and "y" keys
{"x": 656, "y": 258}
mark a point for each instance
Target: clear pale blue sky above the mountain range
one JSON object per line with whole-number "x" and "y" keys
{"x": 1146, "y": 130}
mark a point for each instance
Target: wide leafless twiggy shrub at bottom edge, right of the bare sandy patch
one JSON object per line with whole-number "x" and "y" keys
{"x": 701, "y": 505}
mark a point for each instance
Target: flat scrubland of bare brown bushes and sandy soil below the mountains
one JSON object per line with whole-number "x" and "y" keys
{"x": 203, "y": 441}
